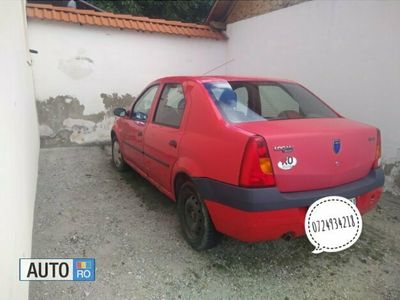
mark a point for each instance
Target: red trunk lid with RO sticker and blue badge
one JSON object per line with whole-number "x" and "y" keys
{"x": 309, "y": 154}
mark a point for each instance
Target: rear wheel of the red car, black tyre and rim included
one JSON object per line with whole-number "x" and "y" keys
{"x": 197, "y": 227}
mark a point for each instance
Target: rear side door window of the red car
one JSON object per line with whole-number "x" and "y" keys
{"x": 171, "y": 106}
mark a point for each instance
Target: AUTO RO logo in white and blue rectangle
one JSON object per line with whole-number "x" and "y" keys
{"x": 74, "y": 269}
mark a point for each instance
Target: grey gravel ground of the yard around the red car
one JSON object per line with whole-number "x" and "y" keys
{"x": 85, "y": 208}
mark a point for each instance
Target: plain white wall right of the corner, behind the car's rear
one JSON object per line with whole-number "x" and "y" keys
{"x": 347, "y": 52}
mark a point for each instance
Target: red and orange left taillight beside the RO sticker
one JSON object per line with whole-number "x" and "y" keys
{"x": 256, "y": 170}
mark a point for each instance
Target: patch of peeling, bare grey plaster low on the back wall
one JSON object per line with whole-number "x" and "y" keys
{"x": 63, "y": 122}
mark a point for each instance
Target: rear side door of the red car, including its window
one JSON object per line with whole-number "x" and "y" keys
{"x": 163, "y": 134}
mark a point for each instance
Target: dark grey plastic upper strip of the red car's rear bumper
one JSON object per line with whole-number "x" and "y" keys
{"x": 262, "y": 199}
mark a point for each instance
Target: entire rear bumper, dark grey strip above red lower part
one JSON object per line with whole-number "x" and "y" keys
{"x": 266, "y": 214}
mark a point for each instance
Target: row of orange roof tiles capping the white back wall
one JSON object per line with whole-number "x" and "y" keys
{"x": 91, "y": 17}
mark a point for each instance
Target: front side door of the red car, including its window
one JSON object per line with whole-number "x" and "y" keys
{"x": 134, "y": 126}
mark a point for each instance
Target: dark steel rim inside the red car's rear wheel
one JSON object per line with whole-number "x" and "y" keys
{"x": 193, "y": 217}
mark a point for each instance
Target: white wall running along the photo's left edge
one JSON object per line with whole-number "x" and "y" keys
{"x": 19, "y": 149}
